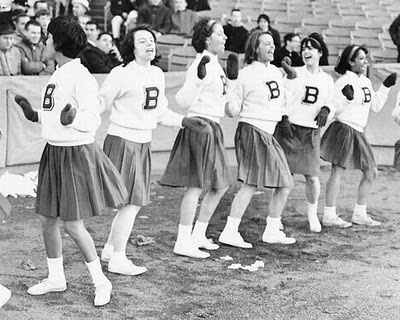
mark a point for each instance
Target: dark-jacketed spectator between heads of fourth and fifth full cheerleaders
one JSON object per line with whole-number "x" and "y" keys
{"x": 290, "y": 49}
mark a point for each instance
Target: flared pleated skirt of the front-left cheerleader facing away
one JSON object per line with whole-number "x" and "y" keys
{"x": 77, "y": 182}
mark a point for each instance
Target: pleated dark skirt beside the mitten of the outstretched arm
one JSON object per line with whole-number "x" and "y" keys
{"x": 198, "y": 160}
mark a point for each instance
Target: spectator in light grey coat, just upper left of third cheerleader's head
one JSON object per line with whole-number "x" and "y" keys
{"x": 183, "y": 19}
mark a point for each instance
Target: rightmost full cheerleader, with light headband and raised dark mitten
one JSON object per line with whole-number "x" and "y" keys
{"x": 344, "y": 143}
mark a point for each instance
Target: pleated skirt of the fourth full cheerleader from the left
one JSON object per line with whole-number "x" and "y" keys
{"x": 261, "y": 160}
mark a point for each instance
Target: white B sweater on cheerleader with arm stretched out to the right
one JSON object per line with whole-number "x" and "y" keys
{"x": 136, "y": 96}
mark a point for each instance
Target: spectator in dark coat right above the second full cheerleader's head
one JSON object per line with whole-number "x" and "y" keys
{"x": 156, "y": 15}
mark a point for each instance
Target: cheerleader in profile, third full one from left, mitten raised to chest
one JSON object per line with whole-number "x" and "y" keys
{"x": 200, "y": 162}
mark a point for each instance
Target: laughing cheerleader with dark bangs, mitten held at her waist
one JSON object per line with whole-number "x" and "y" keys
{"x": 309, "y": 101}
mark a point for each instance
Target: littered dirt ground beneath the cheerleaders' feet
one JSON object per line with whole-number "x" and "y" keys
{"x": 337, "y": 274}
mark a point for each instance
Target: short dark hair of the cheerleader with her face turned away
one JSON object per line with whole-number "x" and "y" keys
{"x": 68, "y": 36}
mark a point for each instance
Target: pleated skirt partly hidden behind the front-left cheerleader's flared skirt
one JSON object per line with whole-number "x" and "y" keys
{"x": 133, "y": 161}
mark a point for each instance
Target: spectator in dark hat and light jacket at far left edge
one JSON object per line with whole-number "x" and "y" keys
{"x": 10, "y": 56}
